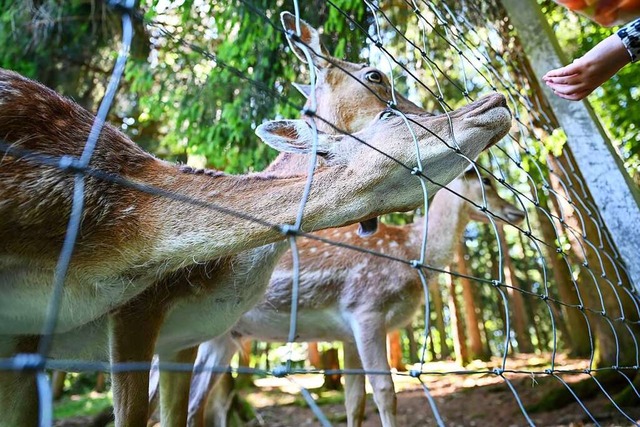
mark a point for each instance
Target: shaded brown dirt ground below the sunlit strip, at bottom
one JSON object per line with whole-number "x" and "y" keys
{"x": 468, "y": 406}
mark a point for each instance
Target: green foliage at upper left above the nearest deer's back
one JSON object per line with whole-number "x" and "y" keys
{"x": 201, "y": 90}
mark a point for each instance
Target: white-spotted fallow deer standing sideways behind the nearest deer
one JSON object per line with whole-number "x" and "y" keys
{"x": 355, "y": 297}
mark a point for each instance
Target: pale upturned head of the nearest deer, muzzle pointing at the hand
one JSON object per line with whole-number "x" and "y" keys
{"x": 475, "y": 126}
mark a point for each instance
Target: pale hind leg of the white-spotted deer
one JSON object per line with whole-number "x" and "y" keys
{"x": 215, "y": 353}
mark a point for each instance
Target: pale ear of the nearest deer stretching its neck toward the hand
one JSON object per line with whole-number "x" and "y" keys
{"x": 294, "y": 136}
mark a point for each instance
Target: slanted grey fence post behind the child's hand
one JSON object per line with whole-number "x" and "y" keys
{"x": 616, "y": 196}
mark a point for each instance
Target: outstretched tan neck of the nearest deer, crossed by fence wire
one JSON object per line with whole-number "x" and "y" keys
{"x": 185, "y": 233}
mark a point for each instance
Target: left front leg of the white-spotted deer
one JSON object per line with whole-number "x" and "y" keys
{"x": 355, "y": 395}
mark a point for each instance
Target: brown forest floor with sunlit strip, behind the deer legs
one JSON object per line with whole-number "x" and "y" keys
{"x": 462, "y": 399}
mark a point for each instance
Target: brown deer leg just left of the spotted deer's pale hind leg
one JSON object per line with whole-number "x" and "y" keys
{"x": 174, "y": 389}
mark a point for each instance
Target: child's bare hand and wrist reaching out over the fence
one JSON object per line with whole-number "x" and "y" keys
{"x": 578, "y": 79}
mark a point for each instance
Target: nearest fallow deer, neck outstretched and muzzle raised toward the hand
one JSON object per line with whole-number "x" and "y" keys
{"x": 171, "y": 247}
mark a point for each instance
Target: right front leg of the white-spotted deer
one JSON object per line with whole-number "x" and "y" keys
{"x": 370, "y": 333}
